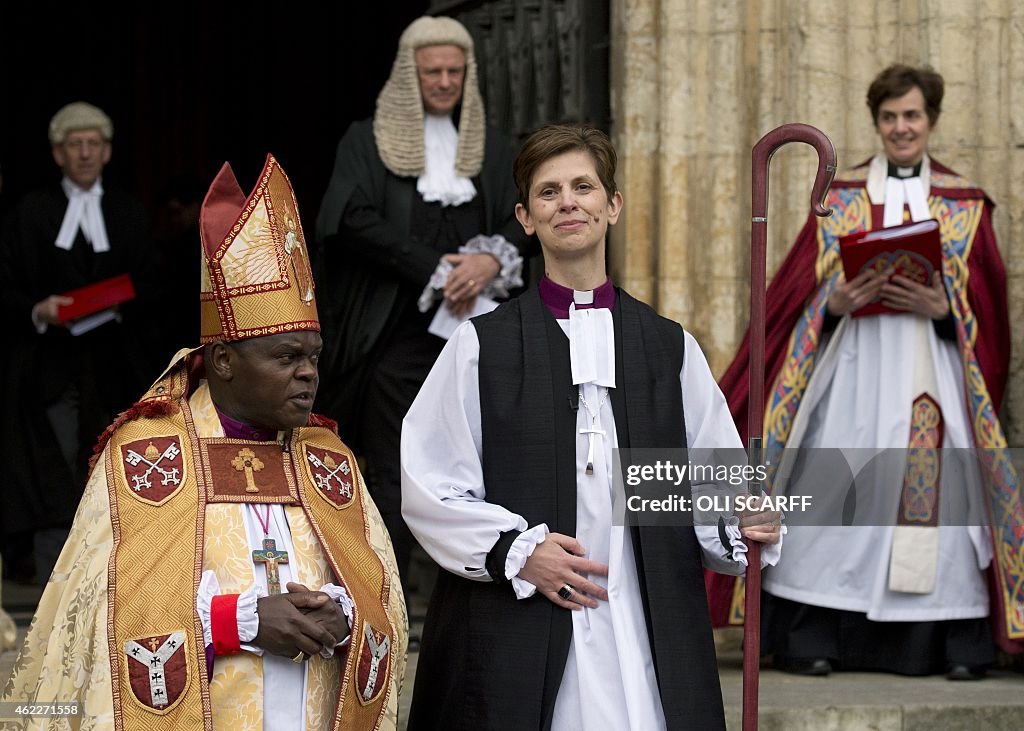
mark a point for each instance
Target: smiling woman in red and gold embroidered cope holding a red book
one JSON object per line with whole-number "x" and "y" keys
{"x": 907, "y": 593}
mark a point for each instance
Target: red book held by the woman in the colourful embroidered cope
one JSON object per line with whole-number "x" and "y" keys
{"x": 912, "y": 250}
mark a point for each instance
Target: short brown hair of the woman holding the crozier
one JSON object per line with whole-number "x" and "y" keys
{"x": 557, "y": 140}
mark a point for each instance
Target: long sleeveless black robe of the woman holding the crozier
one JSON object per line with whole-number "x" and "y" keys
{"x": 492, "y": 662}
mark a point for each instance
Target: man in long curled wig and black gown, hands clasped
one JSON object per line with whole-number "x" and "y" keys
{"x": 418, "y": 218}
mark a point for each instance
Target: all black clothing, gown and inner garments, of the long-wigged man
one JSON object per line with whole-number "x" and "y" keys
{"x": 380, "y": 243}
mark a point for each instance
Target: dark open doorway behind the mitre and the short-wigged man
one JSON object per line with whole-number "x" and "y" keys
{"x": 192, "y": 85}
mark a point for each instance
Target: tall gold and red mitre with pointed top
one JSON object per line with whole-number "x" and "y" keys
{"x": 257, "y": 278}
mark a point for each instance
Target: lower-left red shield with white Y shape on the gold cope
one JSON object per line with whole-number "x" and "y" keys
{"x": 158, "y": 670}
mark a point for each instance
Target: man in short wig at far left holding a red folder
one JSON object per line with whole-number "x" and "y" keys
{"x": 60, "y": 389}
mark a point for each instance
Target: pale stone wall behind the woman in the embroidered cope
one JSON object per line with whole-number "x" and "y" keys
{"x": 696, "y": 83}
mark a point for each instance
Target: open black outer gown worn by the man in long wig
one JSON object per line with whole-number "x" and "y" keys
{"x": 367, "y": 275}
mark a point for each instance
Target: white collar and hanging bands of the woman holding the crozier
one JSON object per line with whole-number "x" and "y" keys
{"x": 592, "y": 342}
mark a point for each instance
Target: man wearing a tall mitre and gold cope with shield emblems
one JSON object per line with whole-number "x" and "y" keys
{"x": 227, "y": 568}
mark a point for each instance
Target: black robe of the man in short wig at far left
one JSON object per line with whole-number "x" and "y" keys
{"x": 109, "y": 366}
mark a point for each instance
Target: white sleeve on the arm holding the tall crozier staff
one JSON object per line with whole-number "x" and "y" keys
{"x": 709, "y": 427}
